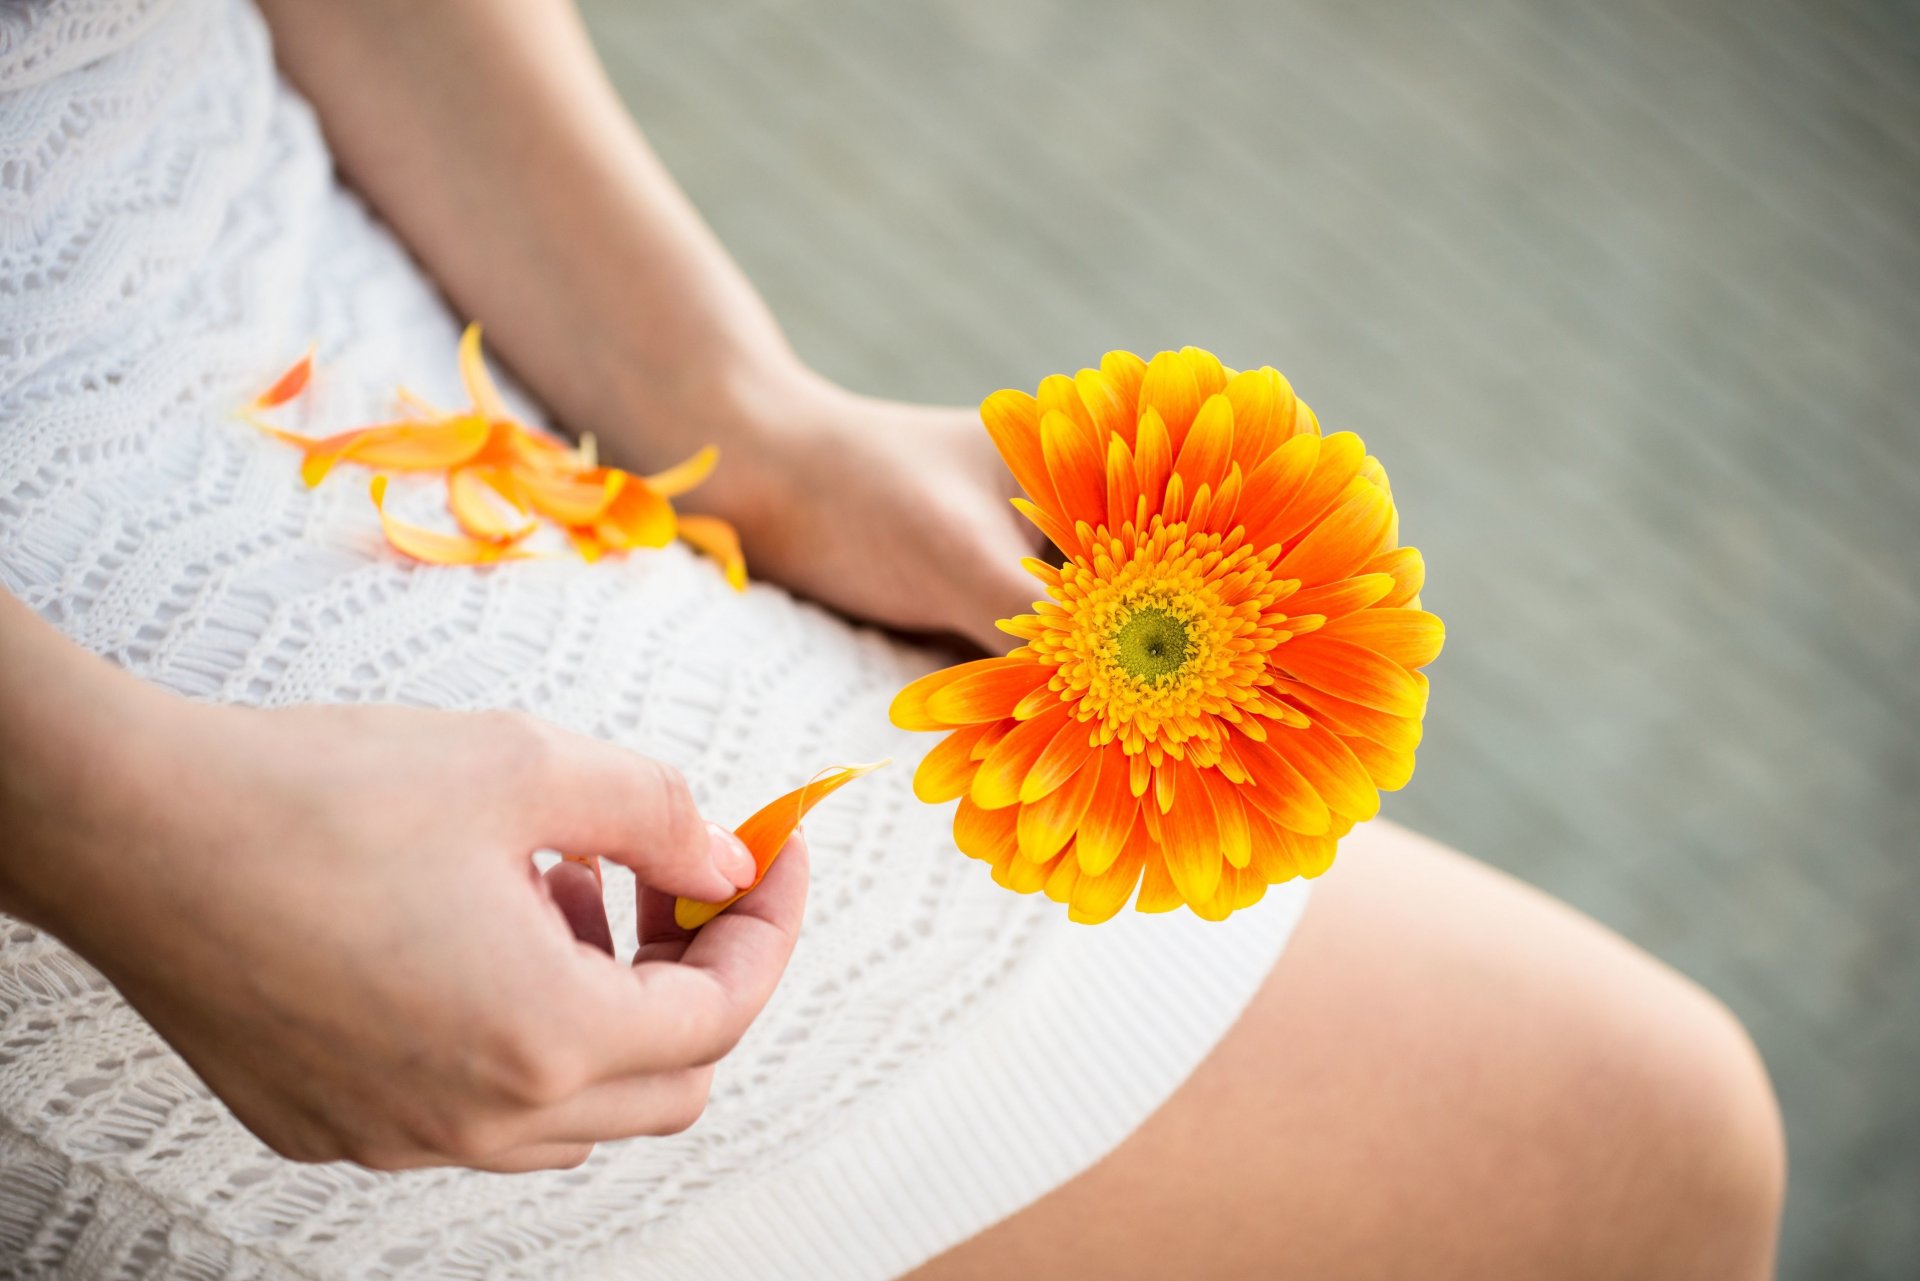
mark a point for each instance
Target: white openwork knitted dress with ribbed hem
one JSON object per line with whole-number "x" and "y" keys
{"x": 940, "y": 1053}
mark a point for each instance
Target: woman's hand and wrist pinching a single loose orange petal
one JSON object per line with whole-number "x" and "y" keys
{"x": 333, "y": 915}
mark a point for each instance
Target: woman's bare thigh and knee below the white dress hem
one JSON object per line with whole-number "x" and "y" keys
{"x": 1447, "y": 1076}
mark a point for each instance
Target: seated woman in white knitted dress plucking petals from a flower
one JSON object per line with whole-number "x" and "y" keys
{"x": 320, "y": 902}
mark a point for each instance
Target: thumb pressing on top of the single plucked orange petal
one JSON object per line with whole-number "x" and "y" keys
{"x": 615, "y": 804}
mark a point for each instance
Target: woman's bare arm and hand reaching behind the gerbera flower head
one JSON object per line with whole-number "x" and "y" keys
{"x": 487, "y": 133}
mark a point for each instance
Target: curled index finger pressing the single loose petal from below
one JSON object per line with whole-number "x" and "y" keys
{"x": 675, "y": 1013}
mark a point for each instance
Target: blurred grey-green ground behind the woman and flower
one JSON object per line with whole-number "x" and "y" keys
{"x": 1627, "y": 299}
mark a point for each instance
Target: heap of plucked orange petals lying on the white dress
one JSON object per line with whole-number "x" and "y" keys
{"x": 506, "y": 477}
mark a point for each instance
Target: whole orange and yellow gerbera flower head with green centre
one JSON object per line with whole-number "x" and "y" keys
{"x": 1224, "y": 675}
